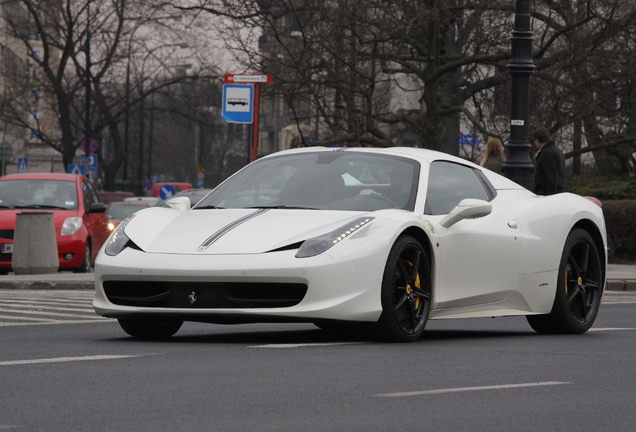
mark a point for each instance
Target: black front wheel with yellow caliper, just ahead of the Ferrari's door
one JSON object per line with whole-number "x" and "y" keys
{"x": 406, "y": 292}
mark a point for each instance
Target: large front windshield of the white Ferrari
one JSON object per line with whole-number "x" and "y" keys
{"x": 335, "y": 180}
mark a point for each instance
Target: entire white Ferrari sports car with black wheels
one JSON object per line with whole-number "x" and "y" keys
{"x": 381, "y": 239}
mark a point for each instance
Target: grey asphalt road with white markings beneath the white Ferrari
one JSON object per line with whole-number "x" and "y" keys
{"x": 64, "y": 369}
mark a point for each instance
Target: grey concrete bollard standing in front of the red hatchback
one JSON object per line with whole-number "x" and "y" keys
{"x": 34, "y": 244}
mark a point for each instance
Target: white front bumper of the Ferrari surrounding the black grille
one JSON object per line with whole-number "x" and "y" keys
{"x": 196, "y": 287}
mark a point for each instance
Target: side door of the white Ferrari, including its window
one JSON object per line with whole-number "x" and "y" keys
{"x": 477, "y": 259}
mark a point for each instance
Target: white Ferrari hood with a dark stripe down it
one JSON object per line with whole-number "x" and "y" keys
{"x": 229, "y": 231}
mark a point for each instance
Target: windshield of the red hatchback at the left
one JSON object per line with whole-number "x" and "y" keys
{"x": 38, "y": 194}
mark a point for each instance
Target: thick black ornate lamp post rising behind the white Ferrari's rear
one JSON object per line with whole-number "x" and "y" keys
{"x": 518, "y": 166}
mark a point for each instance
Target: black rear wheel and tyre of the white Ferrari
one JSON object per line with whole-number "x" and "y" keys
{"x": 579, "y": 288}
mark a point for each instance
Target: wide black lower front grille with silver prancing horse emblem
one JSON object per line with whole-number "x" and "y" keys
{"x": 204, "y": 295}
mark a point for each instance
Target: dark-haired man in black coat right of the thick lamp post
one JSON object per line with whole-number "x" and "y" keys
{"x": 549, "y": 177}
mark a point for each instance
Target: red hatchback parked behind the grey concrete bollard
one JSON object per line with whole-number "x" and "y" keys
{"x": 81, "y": 225}
